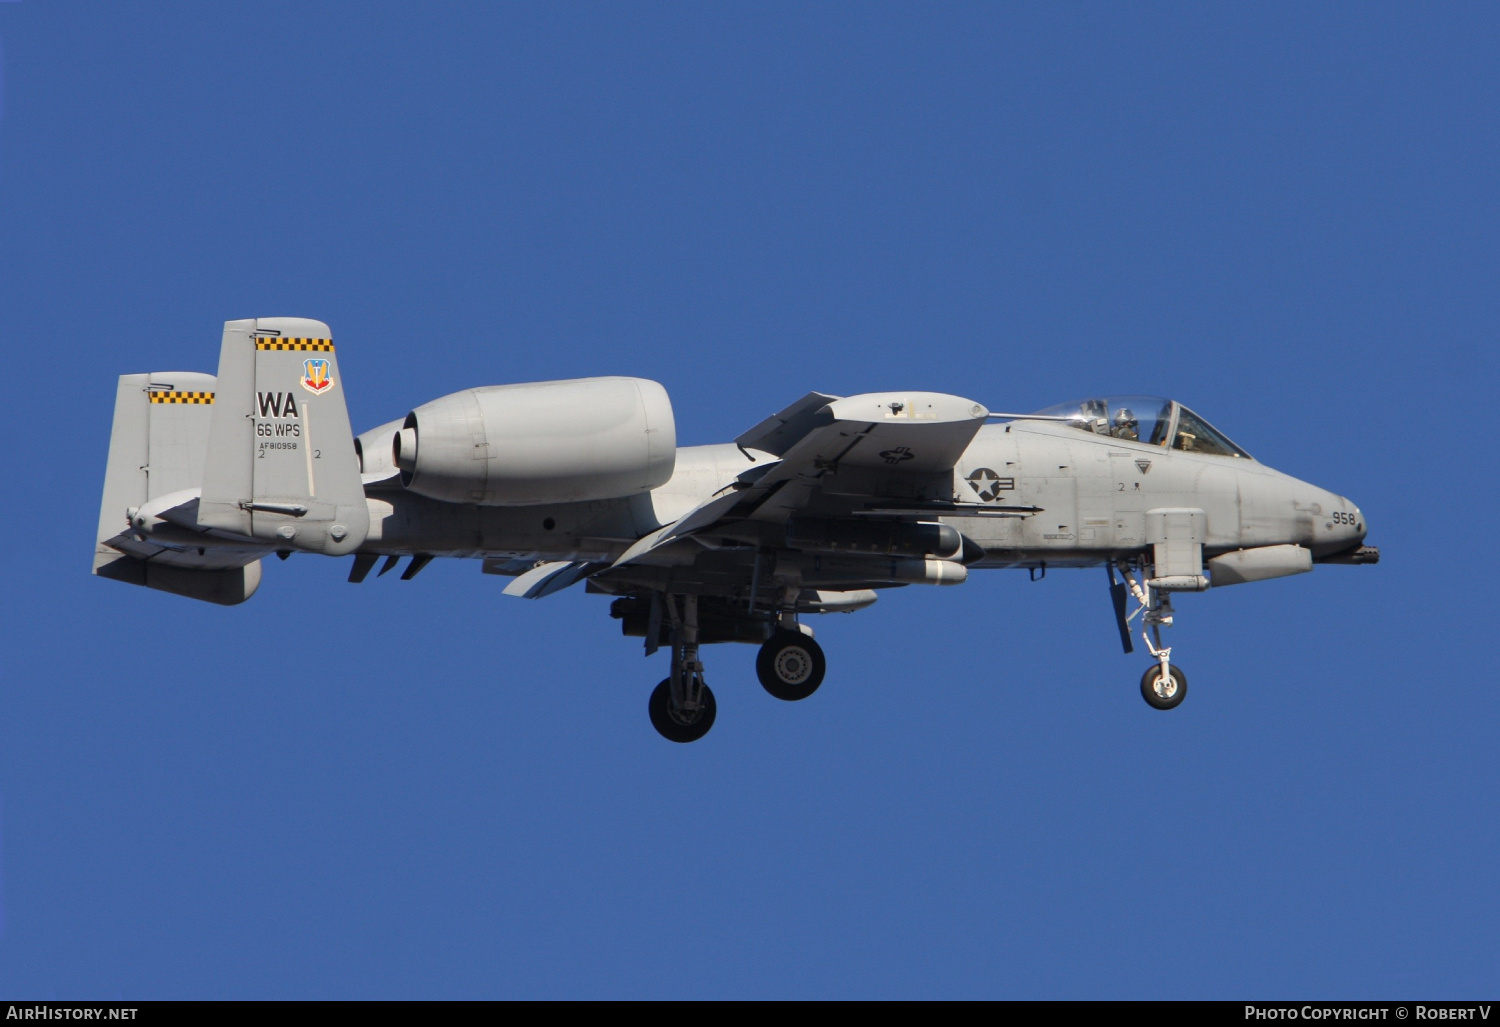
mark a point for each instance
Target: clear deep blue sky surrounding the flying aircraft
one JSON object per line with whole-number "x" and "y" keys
{"x": 1283, "y": 215}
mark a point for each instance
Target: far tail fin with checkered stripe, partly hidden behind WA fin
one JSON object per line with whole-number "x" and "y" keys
{"x": 157, "y": 454}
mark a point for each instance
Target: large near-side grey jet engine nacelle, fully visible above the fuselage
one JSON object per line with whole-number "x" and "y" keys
{"x": 565, "y": 442}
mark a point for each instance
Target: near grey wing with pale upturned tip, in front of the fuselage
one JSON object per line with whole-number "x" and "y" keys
{"x": 881, "y": 455}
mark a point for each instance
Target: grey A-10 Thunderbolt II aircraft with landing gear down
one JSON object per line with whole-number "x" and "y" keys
{"x": 814, "y": 511}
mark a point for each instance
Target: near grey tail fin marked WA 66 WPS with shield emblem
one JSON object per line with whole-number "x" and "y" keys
{"x": 281, "y": 464}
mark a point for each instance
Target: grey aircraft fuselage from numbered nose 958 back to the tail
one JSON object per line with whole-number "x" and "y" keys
{"x": 1090, "y": 493}
